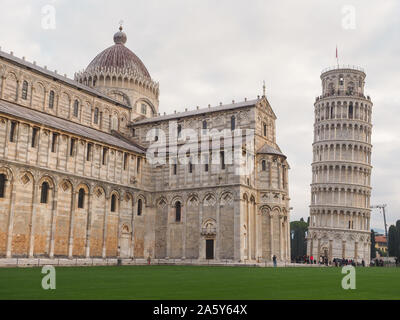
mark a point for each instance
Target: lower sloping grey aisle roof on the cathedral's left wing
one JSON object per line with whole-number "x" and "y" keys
{"x": 66, "y": 126}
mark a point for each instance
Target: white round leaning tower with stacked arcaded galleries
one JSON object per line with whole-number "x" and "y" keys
{"x": 341, "y": 168}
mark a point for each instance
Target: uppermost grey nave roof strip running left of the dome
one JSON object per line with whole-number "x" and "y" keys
{"x": 61, "y": 78}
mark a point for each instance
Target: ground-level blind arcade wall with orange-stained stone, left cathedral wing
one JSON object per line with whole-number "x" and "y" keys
{"x": 48, "y": 215}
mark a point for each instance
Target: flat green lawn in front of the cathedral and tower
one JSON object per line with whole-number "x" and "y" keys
{"x": 198, "y": 282}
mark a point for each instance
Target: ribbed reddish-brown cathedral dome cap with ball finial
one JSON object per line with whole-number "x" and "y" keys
{"x": 118, "y": 58}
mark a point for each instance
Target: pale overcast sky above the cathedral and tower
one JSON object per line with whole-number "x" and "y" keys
{"x": 205, "y": 52}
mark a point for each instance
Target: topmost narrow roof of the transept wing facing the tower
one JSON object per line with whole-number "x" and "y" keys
{"x": 225, "y": 107}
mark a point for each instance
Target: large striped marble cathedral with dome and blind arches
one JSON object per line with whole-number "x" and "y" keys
{"x": 75, "y": 180}
